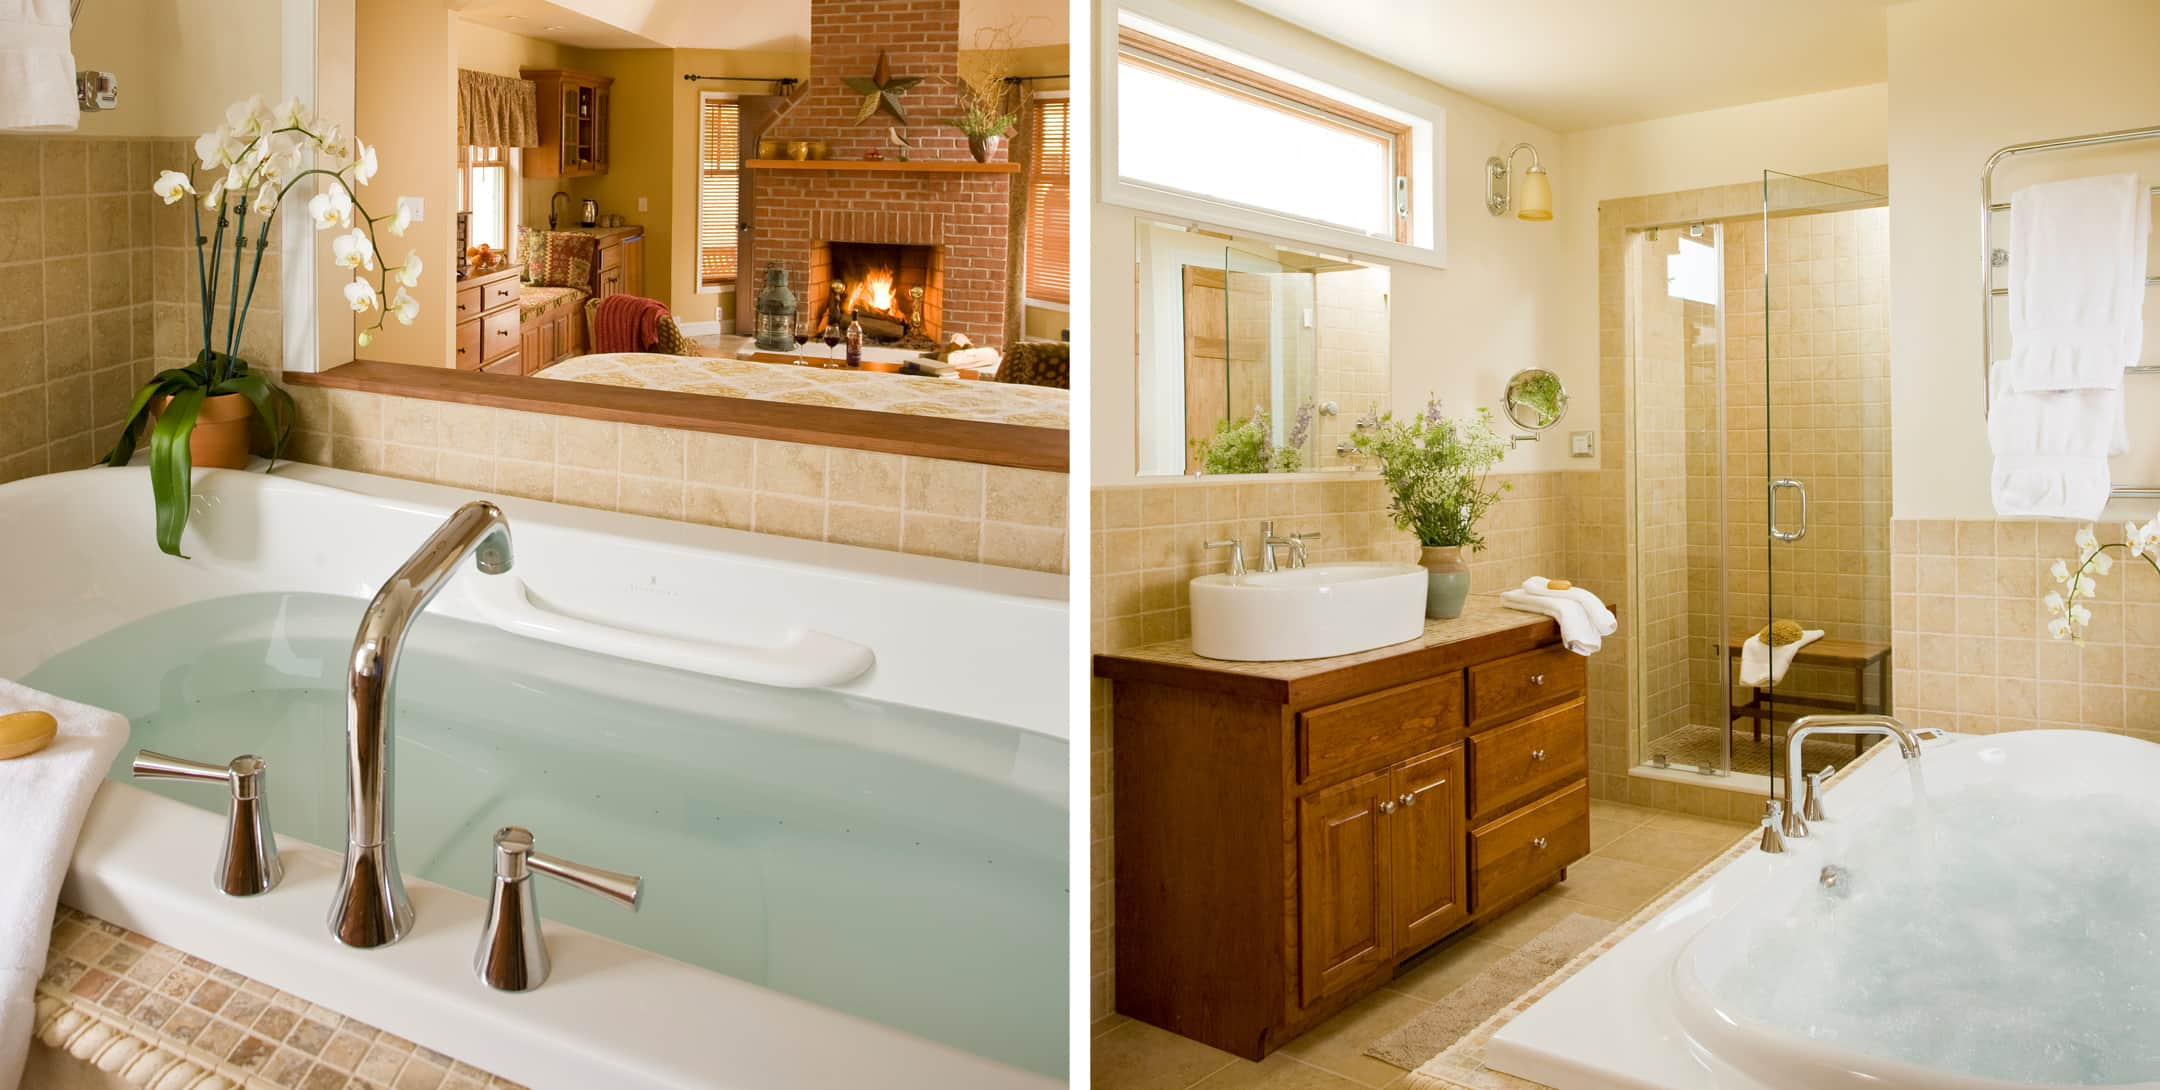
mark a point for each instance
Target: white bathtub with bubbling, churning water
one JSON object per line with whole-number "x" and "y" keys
{"x": 2003, "y": 938}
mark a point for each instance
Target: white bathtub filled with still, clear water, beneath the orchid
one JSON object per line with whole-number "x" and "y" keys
{"x": 854, "y": 884}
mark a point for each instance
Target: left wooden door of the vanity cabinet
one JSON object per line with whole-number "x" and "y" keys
{"x": 1342, "y": 884}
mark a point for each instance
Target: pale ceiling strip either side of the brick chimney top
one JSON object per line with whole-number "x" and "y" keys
{"x": 740, "y": 25}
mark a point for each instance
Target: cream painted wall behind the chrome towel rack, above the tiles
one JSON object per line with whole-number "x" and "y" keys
{"x": 1969, "y": 77}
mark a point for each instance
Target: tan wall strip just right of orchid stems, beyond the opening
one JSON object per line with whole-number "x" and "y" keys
{"x": 407, "y": 107}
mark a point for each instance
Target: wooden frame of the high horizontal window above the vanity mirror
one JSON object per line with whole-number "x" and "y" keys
{"x": 1267, "y": 92}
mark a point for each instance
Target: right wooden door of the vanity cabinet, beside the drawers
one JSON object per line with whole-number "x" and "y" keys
{"x": 1429, "y": 830}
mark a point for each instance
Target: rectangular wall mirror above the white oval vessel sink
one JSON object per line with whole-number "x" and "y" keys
{"x": 1254, "y": 357}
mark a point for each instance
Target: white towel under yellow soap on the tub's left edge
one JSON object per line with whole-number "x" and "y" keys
{"x": 46, "y": 798}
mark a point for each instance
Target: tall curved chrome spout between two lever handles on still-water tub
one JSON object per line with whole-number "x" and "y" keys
{"x": 373, "y": 905}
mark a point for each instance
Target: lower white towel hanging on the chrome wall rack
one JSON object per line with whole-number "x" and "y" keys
{"x": 2053, "y": 448}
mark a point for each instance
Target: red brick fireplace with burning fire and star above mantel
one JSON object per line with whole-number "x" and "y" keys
{"x": 941, "y": 219}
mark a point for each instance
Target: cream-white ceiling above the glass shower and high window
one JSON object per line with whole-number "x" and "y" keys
{"x": 1587, "y": 64}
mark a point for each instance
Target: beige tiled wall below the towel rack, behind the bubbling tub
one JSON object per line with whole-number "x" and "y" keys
{"x": 1971, "y": 633}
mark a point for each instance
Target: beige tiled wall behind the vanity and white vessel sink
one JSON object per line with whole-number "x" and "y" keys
{"x": 1148, "y": 549}
